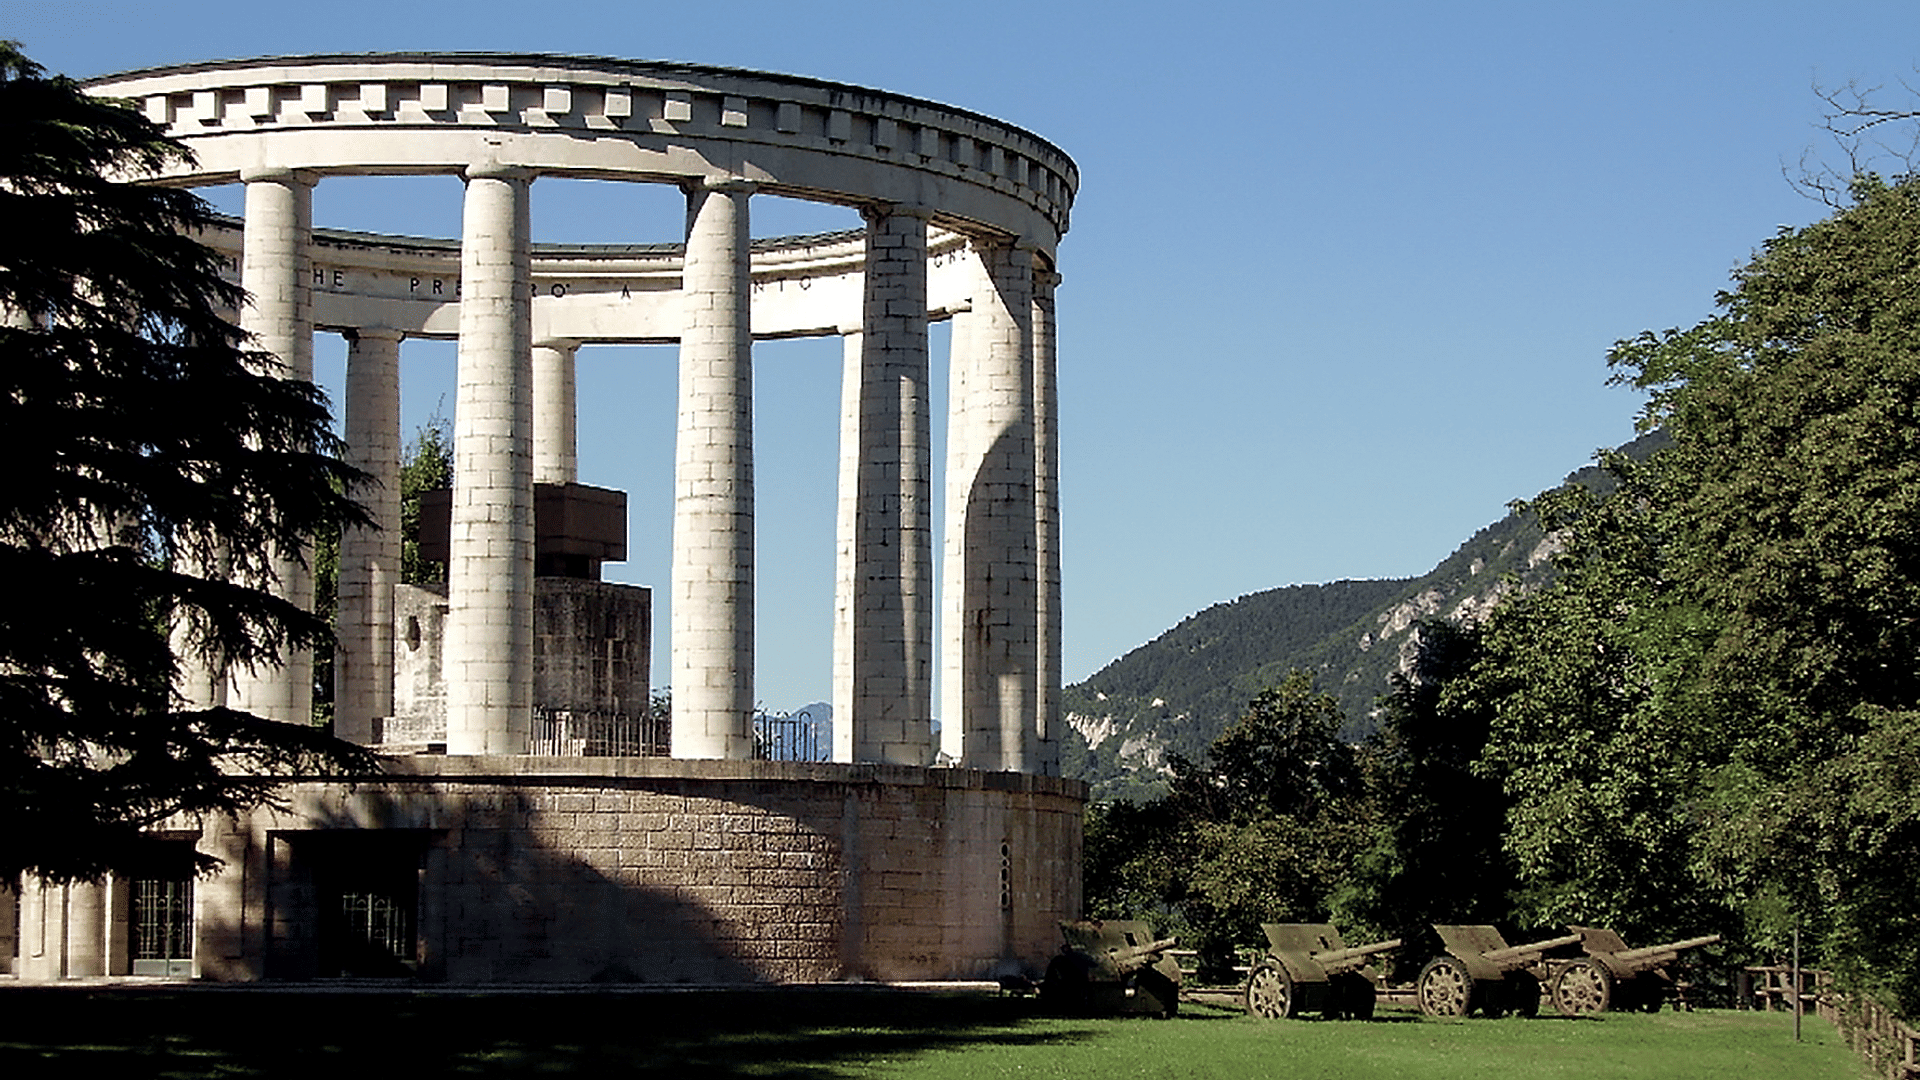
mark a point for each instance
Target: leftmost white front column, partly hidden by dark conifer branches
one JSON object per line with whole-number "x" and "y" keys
{"x": 279, "y": 314}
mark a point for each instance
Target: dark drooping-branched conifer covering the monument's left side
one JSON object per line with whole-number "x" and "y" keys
{"x": 145, "y": 443}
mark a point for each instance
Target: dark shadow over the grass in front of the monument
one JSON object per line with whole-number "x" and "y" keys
{"x": 802, "y": 1035}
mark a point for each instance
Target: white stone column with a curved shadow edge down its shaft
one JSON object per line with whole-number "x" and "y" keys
{"x": 994, "y": 535}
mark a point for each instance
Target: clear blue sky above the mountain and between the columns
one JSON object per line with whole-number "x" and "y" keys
{"x": 1339, "y": 285}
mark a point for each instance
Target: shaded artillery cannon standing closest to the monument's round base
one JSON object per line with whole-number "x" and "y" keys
{"x": 1111, "y": 968}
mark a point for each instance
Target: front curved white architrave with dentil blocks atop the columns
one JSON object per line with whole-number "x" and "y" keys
{"x": 590, "y": 118}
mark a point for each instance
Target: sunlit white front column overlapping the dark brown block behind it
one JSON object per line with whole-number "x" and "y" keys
{"x": 491, "y": 558}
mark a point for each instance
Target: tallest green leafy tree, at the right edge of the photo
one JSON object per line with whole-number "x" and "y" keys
{"x": 1796, "y": 479}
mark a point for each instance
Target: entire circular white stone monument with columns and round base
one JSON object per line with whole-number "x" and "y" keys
{"x": 519, "y": 858}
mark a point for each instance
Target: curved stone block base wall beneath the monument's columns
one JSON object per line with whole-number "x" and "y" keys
{"x": 663, "y": 871}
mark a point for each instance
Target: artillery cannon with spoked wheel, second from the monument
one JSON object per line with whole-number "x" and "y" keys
{"x": 1308, "y": 970}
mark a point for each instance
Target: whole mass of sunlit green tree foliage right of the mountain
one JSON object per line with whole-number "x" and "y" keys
{"x": 1708, "y": 720}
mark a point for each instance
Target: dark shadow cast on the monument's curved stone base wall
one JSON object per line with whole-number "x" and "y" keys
{"x": 491, "y": 902}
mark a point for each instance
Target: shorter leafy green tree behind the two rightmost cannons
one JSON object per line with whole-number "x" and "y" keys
{"x": 1595, "y": 758}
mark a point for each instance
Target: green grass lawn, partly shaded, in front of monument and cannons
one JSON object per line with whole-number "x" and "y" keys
{"x": 80, "y": 1035}
